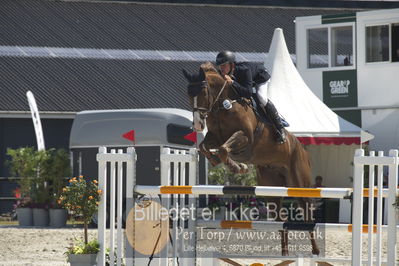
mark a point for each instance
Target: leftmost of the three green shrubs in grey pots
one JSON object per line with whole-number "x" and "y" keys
{"x": 22, "y": 164}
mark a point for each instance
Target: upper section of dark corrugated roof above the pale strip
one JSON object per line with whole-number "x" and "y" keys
{"x": 148, "y": 26}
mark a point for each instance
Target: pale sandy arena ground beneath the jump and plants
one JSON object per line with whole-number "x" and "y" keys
{"x": 43, "y": 246}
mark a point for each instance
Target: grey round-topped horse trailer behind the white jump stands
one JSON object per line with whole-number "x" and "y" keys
{"x": 148, "y": 130}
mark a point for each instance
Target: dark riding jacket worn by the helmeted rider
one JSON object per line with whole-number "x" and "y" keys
{"x": 247, "y": 75}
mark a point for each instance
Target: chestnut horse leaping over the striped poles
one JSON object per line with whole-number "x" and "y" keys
{"x": 236, "y": 137}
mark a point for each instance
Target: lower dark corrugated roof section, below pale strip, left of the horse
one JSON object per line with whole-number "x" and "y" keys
{"x": 70, "y": 85}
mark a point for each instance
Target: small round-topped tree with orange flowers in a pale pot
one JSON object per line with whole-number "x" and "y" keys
{"x": 81, "y": 197}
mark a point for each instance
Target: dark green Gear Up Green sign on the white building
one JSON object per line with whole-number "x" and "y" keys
{"x": 340, "y": 88}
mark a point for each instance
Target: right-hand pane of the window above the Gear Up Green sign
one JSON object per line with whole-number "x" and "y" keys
{"x": 341, "y": 46}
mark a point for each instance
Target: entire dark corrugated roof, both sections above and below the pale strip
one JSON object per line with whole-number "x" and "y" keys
{"x": 63, "y": 84}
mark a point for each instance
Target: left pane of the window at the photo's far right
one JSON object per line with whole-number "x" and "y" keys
{"x": 377, "y": 43}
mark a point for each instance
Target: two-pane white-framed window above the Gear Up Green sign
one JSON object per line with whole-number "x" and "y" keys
{"x": 330, "y": 46}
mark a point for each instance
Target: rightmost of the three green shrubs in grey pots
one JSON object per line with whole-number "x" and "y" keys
{"x": 57, "y": 168}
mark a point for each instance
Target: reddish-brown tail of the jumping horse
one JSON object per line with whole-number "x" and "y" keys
{"x": 300, "y": 165}
